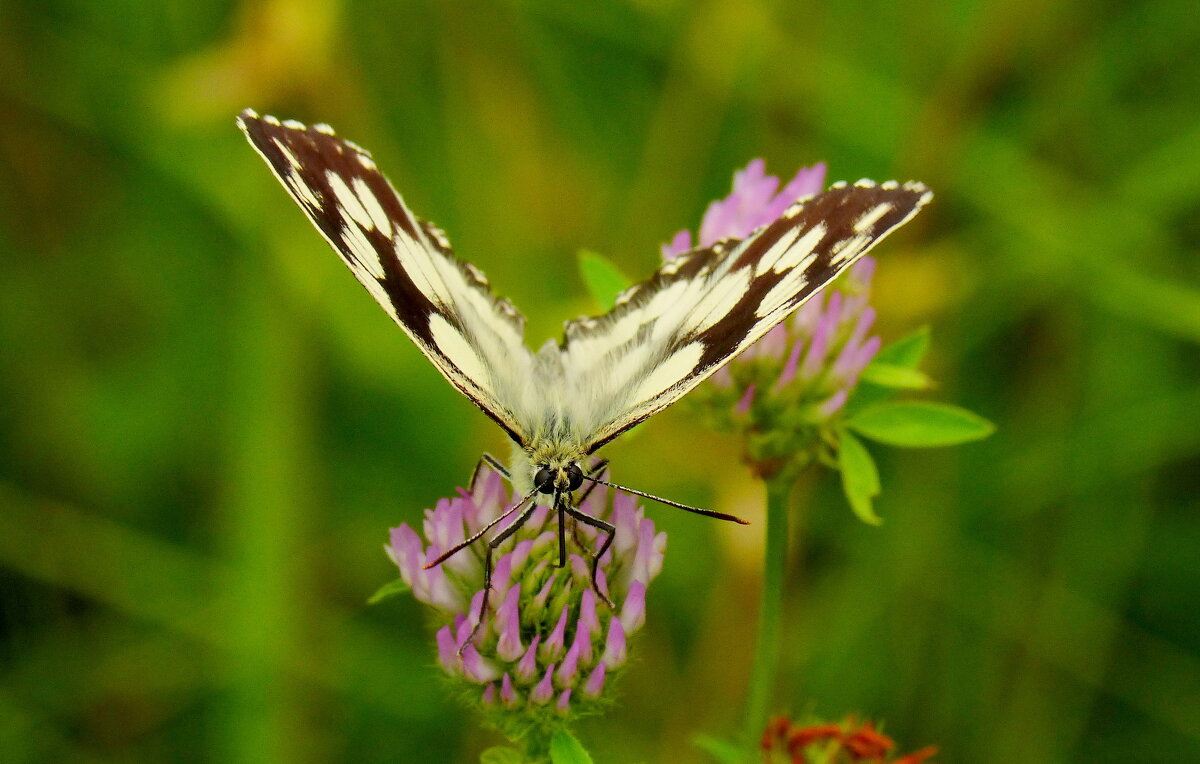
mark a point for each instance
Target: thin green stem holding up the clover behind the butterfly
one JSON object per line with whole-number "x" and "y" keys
{"x": 771, "y": 612}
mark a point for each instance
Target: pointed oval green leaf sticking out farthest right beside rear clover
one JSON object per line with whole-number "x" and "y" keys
{"x": 920, "y": 424}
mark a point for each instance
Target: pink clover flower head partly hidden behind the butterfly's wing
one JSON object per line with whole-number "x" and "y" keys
{"x": 785, "y": 393}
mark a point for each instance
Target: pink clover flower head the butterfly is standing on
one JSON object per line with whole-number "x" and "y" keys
{"x": 548, "y": 646}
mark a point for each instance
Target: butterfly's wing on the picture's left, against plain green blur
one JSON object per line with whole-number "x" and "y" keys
{"x": 443, "y": 304}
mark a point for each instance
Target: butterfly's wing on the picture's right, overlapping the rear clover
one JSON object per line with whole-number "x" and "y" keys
{"x": 671, "y": 333}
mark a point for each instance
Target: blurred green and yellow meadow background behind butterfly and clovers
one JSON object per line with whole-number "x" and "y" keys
{"x": 208, "y": 429}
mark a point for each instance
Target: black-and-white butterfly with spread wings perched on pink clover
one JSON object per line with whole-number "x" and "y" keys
{"x": 562, "y": 404}
